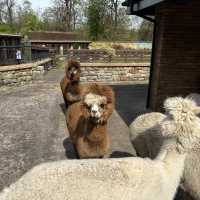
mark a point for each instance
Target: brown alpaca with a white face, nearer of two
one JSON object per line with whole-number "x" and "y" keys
{"x": 87, "y": 122}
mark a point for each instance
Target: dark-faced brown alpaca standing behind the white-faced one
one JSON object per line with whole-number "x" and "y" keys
{"x": 70, "y": 82}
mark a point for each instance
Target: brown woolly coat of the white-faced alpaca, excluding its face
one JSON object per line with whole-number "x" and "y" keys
{"x": 90, "y": 140}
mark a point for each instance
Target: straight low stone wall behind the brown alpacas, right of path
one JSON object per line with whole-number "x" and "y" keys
{"x": 115, "y": 72}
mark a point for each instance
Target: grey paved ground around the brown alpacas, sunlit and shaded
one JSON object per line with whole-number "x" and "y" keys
{"x": 33, "y": 129}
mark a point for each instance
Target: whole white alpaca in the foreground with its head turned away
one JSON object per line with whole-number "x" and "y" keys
{"x": 123, "y": 179}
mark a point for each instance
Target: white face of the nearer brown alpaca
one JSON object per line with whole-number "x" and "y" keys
{"x": 95, "y": 106}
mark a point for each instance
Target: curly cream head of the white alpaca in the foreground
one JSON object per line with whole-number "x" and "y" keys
{"x": 182, "y": 123}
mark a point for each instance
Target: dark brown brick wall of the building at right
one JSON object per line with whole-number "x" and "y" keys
{"x": 176, "y": 61}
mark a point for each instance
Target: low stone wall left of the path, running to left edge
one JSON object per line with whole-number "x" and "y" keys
{"x": 21, "y": 74}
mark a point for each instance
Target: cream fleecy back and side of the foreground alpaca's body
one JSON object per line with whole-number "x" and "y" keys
{"x": 123, "y": 179}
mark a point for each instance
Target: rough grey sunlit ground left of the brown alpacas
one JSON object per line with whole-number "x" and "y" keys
{"x": 30, "y": 131}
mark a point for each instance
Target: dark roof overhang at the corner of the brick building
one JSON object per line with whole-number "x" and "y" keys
{"x": 141, "y": 7}
